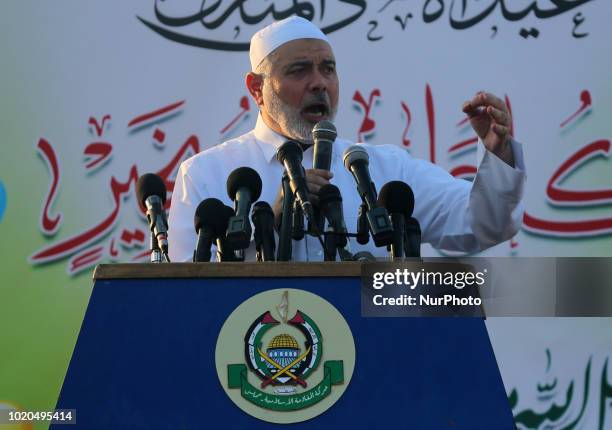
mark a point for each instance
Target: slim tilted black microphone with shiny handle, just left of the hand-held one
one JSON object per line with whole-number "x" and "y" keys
{"x": 290, "y": 155}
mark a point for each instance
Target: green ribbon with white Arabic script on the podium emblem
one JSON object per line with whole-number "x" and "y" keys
{"x": 333, "y": 374}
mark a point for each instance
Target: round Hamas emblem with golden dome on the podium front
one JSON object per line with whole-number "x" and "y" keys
{"x": 285, "y": 364}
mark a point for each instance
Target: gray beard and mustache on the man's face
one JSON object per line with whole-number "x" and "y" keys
{"x": 289, "y": 118}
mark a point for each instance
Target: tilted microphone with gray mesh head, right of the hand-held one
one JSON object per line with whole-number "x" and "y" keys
{"x": 356, "y": 161}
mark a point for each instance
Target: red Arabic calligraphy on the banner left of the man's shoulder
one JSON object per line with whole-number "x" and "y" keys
{"x": 84, "y": 248}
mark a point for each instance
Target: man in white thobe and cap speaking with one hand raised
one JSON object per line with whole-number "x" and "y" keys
{"x": 294, "y": 82}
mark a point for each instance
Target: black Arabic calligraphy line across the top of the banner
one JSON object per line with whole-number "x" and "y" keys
{"x": 227, "y": 25}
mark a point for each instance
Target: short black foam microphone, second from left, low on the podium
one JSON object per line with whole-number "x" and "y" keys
{"x": 208, "y": 224}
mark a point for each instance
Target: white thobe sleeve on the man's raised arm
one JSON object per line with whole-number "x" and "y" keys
{"x": 457, "y": 215}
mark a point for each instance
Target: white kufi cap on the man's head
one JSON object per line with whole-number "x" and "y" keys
{"x": 278, "y": 33}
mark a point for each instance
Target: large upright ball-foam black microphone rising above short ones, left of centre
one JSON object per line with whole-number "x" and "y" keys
{"x": 244, "y": 188}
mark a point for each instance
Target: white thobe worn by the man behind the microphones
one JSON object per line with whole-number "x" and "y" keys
{"x": 454, "y": 214}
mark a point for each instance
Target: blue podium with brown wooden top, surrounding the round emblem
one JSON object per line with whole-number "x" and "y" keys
{"x": 145, "y": 355}
